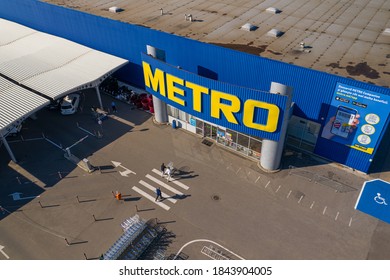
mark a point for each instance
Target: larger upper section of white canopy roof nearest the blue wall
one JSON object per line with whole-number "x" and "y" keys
{"x": 51, "y": 65}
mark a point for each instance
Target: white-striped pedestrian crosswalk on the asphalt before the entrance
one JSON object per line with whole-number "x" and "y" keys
{"x": 170, "y": 191}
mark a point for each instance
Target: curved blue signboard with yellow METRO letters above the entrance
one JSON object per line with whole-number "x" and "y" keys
{"x": 241, "y": 109}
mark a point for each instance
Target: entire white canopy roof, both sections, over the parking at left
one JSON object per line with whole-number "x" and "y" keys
{"x": 46, "y": 64}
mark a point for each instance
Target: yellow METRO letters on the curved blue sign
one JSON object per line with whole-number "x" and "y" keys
{"x": 221, "y": 103}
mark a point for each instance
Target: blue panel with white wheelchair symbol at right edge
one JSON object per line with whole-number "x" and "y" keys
{"x": 374, "y": 199}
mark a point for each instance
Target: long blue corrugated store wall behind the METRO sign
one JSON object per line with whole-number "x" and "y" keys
{"x": 313, "y": 91}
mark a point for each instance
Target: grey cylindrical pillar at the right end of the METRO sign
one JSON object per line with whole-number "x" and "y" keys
{"x": 271, "y": 151}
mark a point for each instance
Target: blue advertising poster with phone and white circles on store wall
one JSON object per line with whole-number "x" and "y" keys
{"x": 356, "y": 117}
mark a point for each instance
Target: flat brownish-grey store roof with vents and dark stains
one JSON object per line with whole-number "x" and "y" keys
{"x": 346, "y": 38}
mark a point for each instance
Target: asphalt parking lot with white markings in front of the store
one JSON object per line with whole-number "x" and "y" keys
{"x": 218, "y": 200}
